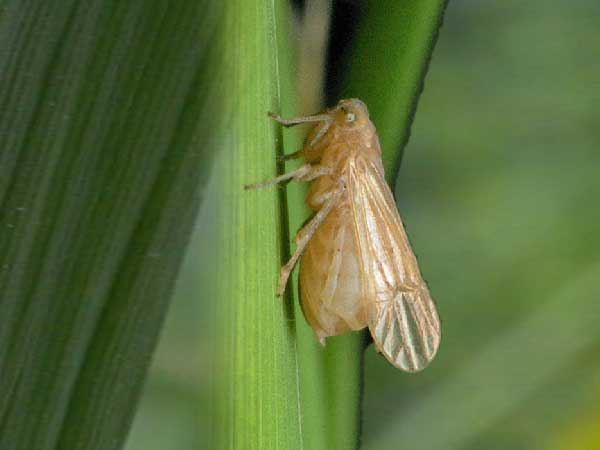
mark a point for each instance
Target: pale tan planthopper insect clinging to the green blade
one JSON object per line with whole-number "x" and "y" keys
{"x": 357, "y": 267}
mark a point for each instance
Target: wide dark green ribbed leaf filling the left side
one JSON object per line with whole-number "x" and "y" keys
{"x": 109, "y": 115}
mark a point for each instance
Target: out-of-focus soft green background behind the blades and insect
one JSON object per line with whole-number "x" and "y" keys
{"x": 499, "y": 190}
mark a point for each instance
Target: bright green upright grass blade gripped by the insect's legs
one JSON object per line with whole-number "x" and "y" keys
{"x": 256, "y": 396}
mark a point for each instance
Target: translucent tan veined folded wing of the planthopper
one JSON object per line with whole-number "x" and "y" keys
{"x": 401, "y": 314}
